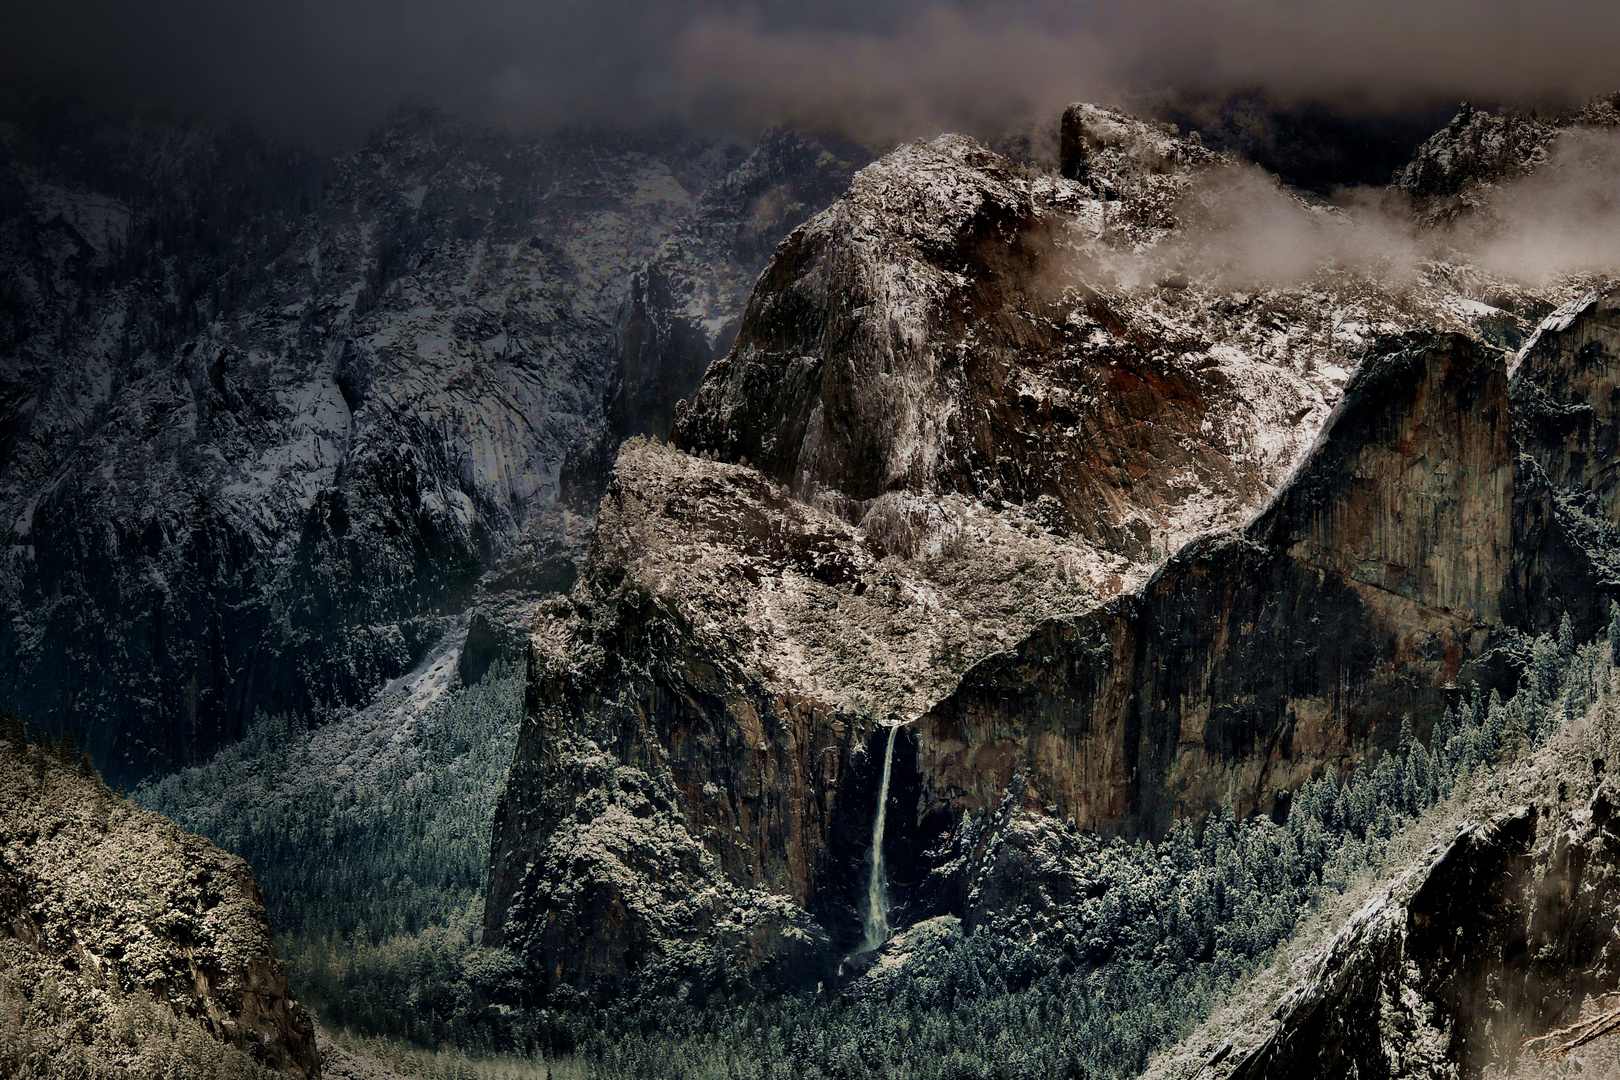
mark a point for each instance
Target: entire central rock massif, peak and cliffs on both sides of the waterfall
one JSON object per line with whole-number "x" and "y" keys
{"x": 939, "y": 482}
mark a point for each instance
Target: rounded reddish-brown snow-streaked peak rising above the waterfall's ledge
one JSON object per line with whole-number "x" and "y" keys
{"x": 934, "y": 333}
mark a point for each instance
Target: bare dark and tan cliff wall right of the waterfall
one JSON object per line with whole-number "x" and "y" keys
{"x": 1261, "y": 658}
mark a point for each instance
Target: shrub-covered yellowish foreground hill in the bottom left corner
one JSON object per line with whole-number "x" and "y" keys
{"x": 113, "y": 917}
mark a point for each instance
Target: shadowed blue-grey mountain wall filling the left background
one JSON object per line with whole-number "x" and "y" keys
{"x": 268, "y": 417}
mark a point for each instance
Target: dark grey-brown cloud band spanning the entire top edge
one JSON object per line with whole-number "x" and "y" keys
{"x": 876, "y": 69}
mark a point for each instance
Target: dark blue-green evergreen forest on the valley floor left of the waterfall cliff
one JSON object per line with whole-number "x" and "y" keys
{"x": 372, "y": 846}
